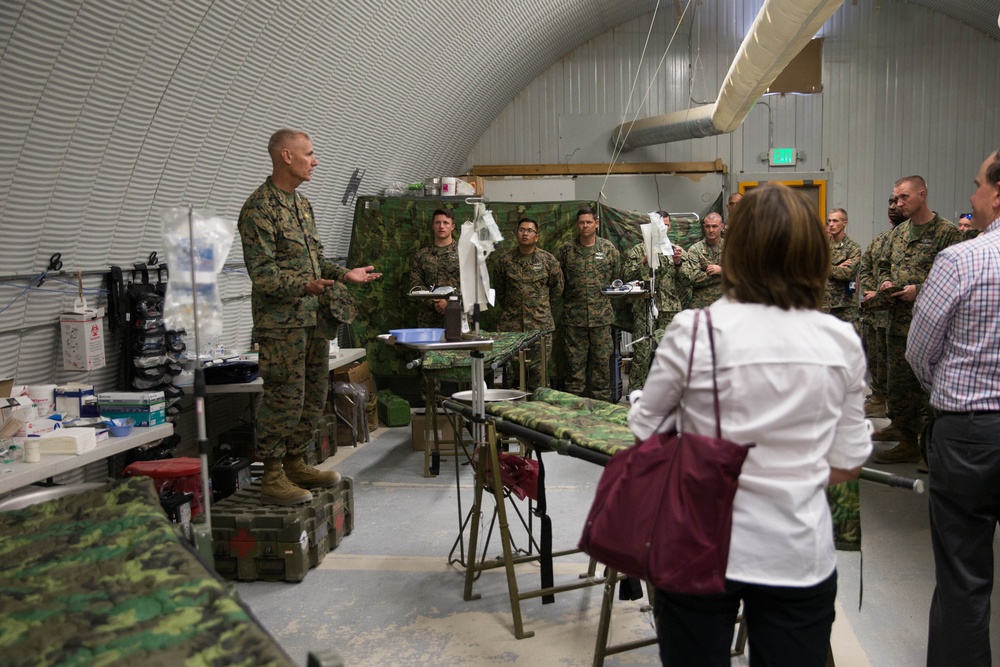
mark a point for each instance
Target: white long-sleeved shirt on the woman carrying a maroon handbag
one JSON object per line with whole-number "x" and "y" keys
{"x": 791, "y": 381}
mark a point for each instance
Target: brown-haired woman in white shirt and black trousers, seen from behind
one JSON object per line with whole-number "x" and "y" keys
{"x": 791, "y": 380}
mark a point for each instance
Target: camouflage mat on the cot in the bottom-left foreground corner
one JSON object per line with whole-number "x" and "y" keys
{"x": 101, "y": 578}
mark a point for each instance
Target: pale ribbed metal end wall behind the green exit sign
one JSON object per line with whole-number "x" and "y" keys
{"x": 906, "y": 90}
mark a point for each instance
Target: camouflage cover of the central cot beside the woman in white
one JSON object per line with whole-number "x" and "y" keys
{"x": 602, "y": 428}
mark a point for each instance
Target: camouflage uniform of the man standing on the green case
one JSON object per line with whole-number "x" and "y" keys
{"x": 282, "y": 251}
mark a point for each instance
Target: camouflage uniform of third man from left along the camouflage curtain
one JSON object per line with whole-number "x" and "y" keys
{"x": 588, "y": 315}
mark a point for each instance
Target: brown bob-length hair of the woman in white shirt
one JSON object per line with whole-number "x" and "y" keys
{"x": 777, "y": 252}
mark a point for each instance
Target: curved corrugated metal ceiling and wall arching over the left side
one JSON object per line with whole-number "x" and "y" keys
{"x": 114, "y": 111}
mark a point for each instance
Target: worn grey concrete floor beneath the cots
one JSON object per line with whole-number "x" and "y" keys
{"x": 388, "y": 597}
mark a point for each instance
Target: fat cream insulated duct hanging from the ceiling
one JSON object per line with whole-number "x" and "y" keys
{"x": 782, "y": 28}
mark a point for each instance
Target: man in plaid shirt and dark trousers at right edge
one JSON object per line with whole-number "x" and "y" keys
{"x": 954, "y": 349}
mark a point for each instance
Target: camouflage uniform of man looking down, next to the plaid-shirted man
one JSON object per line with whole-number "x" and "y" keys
{"x": 909, "y": 254}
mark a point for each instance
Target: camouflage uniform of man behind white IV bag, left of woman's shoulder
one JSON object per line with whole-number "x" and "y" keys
{"x": 671, "y": 283}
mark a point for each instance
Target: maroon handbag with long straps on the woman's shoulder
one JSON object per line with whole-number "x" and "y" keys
{"x": 663, "y": 510}
